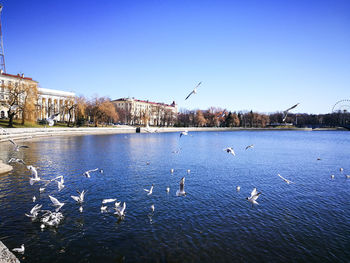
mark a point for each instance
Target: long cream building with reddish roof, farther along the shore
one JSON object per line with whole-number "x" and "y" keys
{"x": 143, "y": 112}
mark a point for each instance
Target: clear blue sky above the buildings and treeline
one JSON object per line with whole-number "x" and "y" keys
{"x": 250, "y": 55}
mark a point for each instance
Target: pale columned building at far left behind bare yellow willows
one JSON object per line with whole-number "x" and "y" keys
{"x": 47, "y": 102}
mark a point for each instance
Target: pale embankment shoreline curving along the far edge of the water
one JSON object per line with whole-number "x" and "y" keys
{"x": 31, "y": 133}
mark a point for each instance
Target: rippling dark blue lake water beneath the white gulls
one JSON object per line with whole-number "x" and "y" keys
{"x": 301, "y": 222}
